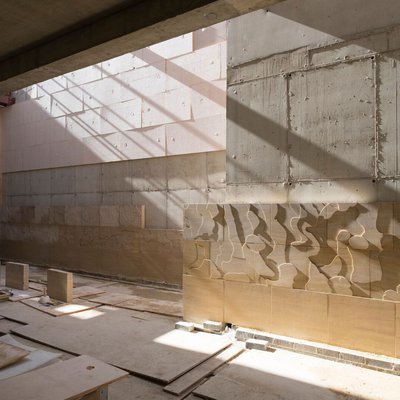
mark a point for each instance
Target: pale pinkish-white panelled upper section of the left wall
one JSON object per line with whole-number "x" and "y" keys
{"x": 163, "y": 100}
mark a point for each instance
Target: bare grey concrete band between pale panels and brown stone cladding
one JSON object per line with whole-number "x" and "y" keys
{"x": 161, "y": 184}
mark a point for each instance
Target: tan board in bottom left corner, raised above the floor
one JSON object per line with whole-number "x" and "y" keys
{"x": 69, "y": 379}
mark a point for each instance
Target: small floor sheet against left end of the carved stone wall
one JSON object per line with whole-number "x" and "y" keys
{"x": 153, "y": 305}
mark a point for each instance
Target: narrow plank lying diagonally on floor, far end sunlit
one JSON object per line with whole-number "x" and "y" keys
{"x": 195, "y": 376}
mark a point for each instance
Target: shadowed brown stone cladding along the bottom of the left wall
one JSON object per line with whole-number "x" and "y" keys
{"x": 105, "y": 240}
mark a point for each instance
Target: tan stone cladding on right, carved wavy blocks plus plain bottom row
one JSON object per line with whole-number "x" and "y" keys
{"x": 327, "y": 272}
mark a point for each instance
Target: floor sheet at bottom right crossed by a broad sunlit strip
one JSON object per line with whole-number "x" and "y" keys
{"x": 263, "y": 375}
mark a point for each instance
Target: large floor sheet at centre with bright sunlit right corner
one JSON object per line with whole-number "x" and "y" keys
{"x": 150, "y": 348}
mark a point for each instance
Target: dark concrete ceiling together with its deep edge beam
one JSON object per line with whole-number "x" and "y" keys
{"x": 46, "y": 38}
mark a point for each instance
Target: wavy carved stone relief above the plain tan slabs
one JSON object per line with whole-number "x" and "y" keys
{"x": 350, "y": 249}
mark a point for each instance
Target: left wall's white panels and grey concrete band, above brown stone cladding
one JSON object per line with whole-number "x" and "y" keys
{"x": 144, "y": 128}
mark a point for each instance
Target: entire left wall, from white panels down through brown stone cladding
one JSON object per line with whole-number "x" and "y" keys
{"x": 145, "y": 129}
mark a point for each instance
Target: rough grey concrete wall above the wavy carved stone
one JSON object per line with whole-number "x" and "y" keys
{"x": 312, "y": 93}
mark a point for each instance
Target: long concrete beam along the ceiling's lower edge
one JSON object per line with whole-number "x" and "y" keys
{"x": 139, "y": 25}
